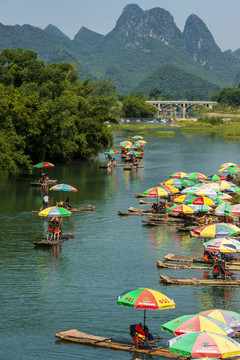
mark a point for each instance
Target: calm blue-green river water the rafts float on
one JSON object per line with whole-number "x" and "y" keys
{"x": 75, "y": 285}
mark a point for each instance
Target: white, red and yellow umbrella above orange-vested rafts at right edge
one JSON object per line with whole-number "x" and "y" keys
{"x": 222, "y": 245}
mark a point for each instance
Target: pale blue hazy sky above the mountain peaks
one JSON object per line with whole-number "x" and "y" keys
{"x": 220, "y": 16}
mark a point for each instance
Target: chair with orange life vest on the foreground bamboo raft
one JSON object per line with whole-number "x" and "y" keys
{"x": 142, "y": 337}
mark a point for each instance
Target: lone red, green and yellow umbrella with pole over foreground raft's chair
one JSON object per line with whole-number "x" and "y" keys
{"x": 147, "y": 299}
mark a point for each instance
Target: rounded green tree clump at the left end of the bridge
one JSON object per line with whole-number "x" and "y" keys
{"x": 136, "y": 106}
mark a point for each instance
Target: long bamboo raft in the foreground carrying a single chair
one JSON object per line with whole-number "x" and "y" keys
{"x": 109, "y": 343}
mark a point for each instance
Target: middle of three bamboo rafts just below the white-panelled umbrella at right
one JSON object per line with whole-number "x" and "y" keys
{"x": 200, "y": 266}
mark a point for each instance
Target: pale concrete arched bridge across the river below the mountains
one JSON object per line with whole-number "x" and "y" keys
{"x": 184, "y": 105}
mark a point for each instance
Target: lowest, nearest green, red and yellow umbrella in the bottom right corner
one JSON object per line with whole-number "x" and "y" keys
{"x": 201, "y": 344}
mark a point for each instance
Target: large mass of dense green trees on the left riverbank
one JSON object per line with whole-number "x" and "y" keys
{"x": 47, "y": 114}
